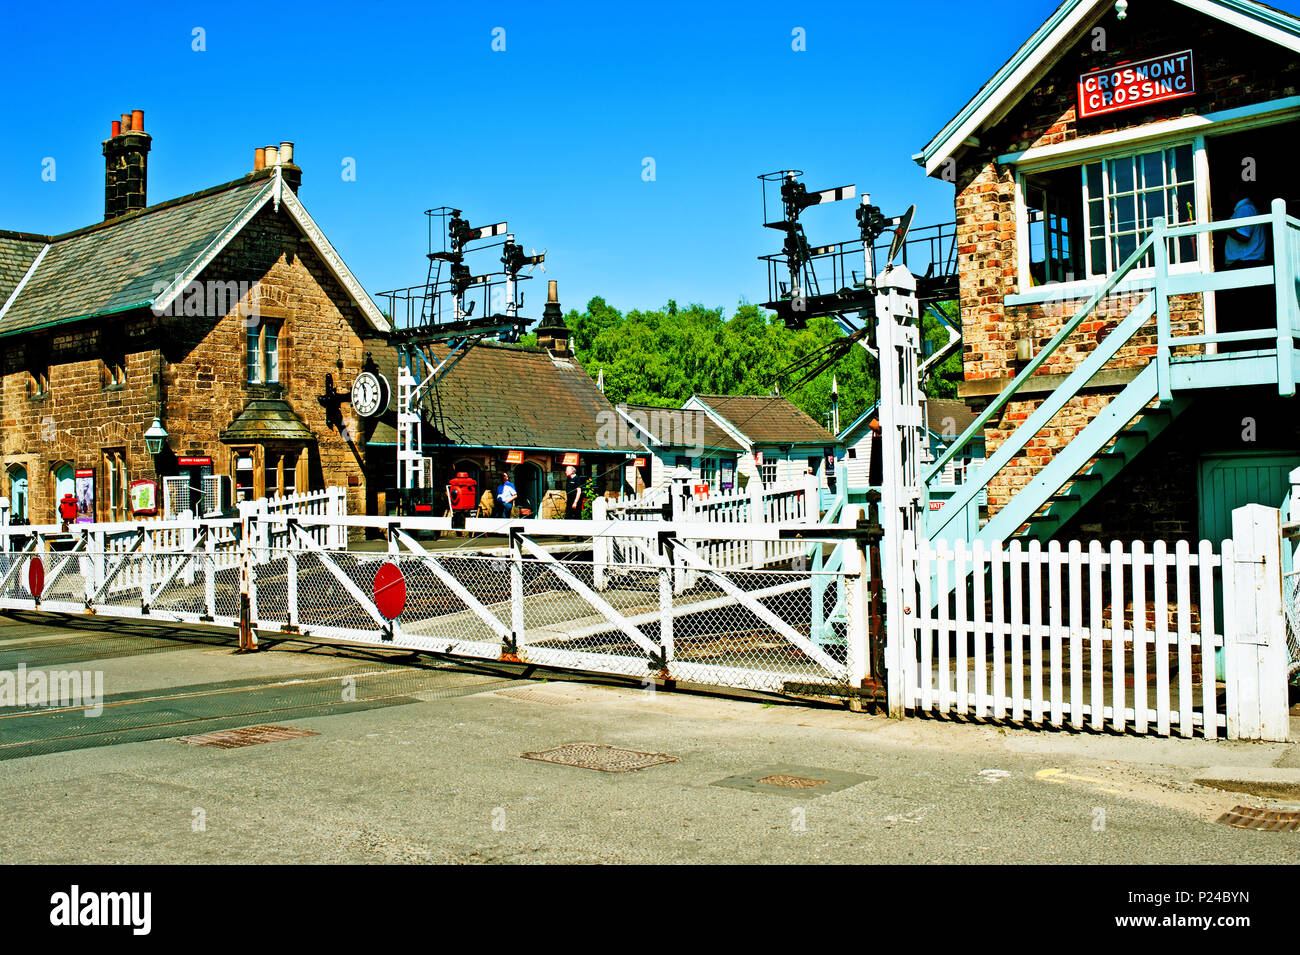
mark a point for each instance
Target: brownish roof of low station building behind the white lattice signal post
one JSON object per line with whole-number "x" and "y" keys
{"x": 509, "y": 397}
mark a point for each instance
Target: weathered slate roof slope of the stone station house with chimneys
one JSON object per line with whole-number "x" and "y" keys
{"x": 114, "y": 266}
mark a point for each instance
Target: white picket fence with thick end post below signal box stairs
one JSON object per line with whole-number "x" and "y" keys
{"x": 1121, "y": 637}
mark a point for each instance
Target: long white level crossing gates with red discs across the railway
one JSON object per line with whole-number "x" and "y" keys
{"x": 782, "y": 630}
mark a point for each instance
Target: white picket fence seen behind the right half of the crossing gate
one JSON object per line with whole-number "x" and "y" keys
{"x": 796, "y": 502}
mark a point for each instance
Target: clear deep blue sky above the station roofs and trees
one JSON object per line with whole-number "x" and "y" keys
{"x": 549, "y": 134}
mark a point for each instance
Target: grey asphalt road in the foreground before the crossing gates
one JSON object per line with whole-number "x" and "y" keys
{"x": 423, "y": 765}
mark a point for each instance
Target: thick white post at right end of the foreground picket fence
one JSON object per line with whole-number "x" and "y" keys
{"x": 1255, "y": 641}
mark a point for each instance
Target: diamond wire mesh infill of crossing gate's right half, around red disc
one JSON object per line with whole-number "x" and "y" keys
{"x": 755, "y": 630}
